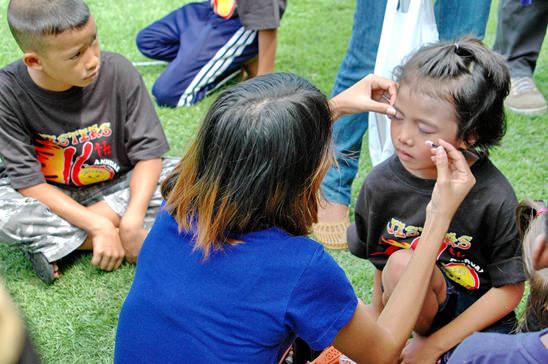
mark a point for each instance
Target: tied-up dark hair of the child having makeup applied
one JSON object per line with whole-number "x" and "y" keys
{"x": 469, "y": 76}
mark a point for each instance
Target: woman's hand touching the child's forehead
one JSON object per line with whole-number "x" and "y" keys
{"x": 366, "y": 95}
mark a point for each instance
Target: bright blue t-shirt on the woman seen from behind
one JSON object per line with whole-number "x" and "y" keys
{"x": 245, "y": 304}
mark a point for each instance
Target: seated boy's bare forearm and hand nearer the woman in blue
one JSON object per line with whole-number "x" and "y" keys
{"x": 144, "y": 181}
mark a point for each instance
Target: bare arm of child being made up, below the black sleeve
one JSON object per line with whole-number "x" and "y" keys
{"x": 491, "y": 307}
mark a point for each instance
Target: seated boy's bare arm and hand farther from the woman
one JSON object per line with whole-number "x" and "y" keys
{"x": 108, "y": 252}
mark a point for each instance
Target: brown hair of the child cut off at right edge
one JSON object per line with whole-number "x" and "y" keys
{"x": 531, "y": 225}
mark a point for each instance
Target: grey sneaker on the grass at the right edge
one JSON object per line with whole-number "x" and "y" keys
{"x": 525, "y": 98}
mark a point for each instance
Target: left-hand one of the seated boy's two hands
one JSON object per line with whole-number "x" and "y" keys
{"x": 108, "y": 252}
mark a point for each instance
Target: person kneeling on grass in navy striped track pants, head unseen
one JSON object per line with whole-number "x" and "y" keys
{"x": 208, "y": 43}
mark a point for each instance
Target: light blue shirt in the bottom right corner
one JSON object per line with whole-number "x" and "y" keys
{"x": 492, "y": 348}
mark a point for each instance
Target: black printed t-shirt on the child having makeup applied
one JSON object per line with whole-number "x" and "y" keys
{"x": 481, "y": 248}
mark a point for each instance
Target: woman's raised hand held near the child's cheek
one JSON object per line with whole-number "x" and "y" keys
{"x": 454, "y": 180}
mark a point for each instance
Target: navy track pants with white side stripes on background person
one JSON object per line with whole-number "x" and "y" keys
{"x": 203, "y": 50}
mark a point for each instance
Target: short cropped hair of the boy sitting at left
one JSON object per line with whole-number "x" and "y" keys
{"x": 30, "y": 20}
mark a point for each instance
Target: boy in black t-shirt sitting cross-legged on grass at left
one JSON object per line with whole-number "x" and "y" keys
{"x": 80, "y": 140}
